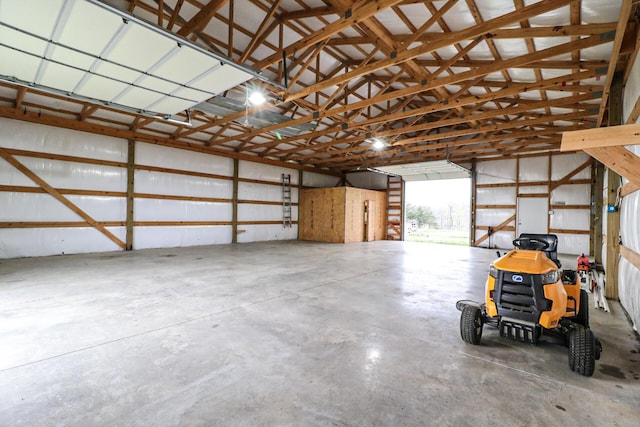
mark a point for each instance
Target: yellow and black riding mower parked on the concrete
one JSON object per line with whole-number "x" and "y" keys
{"x": 528, "y": 298}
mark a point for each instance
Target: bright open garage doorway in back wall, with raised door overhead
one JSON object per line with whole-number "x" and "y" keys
{"x": 437, "y": 202}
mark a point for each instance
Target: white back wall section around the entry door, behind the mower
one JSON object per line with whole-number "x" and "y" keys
{"x": 499, "y": 183}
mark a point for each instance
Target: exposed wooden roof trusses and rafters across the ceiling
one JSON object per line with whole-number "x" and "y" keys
{"x": 394, "y": 69}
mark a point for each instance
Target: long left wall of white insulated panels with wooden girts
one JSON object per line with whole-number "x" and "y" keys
{"x": 182, "y": 198}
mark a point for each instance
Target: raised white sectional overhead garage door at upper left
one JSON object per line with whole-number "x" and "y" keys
{"x": 88, "y": 50}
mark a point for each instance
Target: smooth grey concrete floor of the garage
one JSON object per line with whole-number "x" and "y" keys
{"x": 285, "y": 333}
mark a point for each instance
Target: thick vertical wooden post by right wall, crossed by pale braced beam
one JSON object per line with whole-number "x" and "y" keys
{"x": 613, "y": 182}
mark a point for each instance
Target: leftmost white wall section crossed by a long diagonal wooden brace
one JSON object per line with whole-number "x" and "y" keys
{"x": 23, "y": 206}
